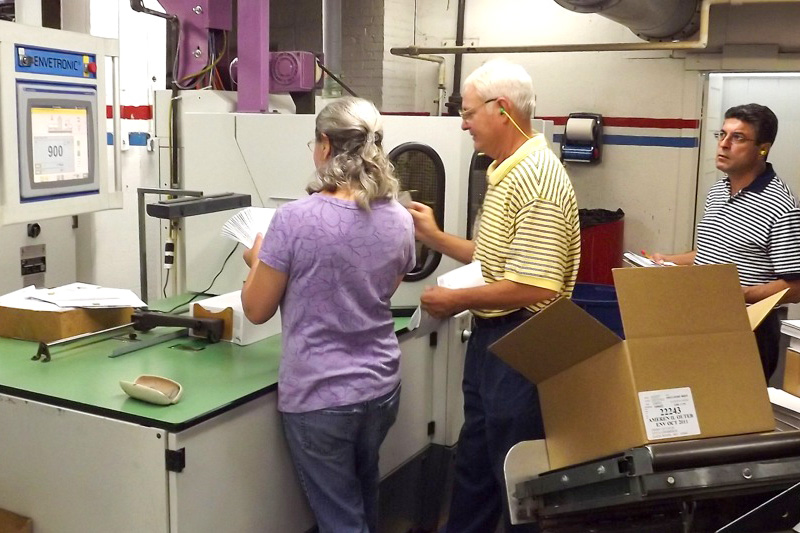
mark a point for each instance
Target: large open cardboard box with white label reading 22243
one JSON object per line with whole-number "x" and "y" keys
{"x": 689, "y": 367}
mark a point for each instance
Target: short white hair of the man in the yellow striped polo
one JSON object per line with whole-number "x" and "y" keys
{"x": 500, "y": 77}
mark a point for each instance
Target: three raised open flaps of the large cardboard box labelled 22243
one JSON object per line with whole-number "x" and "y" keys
{"x": 654, "y": 302}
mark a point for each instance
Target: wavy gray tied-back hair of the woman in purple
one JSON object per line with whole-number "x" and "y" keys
{"x": 355, "y": 130}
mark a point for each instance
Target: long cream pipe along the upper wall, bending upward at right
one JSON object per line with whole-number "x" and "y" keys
{"x": 699, "y": 44}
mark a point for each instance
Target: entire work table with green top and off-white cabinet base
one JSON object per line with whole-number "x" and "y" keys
{"x": 77, "y": 454}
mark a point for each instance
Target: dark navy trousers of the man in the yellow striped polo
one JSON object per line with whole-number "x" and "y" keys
{"x": 501, "y": 408}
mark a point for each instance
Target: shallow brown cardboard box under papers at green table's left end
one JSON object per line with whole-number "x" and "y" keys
{"x": 48, "y": 326}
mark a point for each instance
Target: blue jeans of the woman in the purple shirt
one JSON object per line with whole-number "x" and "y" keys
{"x": 335, "y": 454}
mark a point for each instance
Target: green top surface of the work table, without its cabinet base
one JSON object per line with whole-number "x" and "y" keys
{"x": 214, "y": 377}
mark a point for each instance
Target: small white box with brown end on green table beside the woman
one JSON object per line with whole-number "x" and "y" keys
{"x": 238, "y": 329}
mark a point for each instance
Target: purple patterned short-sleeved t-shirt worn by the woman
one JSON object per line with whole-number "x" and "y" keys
{"x": 339, "y": 345}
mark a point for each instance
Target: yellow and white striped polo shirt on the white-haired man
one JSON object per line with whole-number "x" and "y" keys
{"x": 529, "y": 230}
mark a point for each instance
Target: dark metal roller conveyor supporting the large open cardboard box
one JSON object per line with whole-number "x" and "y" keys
{"x": 738, "y": 484}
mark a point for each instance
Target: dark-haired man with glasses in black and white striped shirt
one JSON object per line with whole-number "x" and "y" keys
{"x": 751, "y": 219}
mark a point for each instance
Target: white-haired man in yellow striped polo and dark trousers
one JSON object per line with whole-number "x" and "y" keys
{"x": 528, "y": 243}
